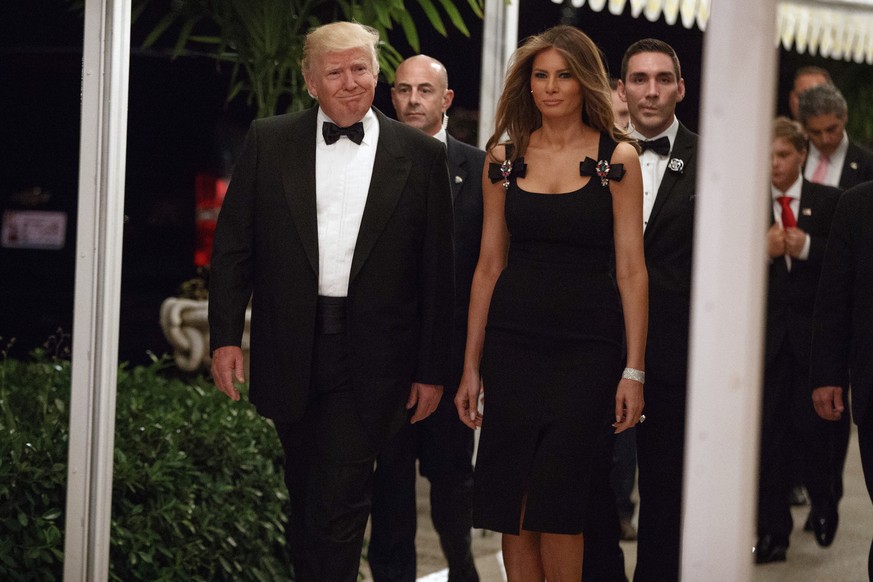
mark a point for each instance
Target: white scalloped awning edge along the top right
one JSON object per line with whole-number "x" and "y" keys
{"x": 835, "y": 29}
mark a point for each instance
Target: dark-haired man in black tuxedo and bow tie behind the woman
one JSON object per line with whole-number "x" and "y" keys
{"x": 652, "y": 85}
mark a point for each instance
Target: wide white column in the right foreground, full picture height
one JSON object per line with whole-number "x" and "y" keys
{"x": 728, "y": 296}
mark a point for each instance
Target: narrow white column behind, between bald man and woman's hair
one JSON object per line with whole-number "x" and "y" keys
{"x": 499, "y": 40}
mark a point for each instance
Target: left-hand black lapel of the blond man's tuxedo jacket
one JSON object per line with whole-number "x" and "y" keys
{"x": 298, "y": 178}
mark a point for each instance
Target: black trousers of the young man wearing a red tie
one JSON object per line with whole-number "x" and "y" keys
{"x": 787, "y": 411}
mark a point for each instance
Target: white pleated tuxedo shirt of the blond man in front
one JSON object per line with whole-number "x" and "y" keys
{"x": 342, "y": 179}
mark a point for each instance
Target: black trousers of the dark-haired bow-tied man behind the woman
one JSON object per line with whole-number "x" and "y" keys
{"x": 660, "y": 465}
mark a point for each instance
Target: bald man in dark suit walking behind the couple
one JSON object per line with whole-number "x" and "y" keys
{"x": 441, "y": 443}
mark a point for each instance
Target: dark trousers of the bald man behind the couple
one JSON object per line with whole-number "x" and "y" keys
{"x": 444, "y": 447}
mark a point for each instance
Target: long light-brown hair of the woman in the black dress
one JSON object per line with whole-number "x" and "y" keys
{"x": 517, "y": 114}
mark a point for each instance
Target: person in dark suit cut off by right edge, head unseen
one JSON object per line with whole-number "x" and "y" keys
{"x": 842, "y": 339}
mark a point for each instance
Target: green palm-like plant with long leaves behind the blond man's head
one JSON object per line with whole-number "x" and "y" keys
{"x": 263, "y": 39}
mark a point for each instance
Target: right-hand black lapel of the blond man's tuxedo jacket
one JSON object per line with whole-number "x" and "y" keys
{"x": 386, "y": 185}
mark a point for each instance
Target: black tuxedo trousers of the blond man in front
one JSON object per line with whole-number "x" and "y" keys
{"x": 328, "y": 471}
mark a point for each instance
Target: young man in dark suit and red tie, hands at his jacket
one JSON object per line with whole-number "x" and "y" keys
{"x": 802, "y": 213}
